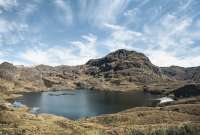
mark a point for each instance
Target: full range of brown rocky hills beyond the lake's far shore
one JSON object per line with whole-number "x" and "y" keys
{"x": 121, "y": 70}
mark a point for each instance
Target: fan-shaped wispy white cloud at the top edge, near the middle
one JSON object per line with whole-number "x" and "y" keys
{"x": 101, "y": 11}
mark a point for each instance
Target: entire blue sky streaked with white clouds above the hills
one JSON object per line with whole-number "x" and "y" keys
{"x": 70, "y": 32}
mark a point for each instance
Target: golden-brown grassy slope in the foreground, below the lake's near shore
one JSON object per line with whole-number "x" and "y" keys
{"x": 176, "y": 119}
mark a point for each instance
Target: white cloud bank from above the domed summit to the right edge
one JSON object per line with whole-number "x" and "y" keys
{"x": 169, "y": 41}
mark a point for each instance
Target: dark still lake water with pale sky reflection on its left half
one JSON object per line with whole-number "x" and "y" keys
{"x": 85, "y": 103}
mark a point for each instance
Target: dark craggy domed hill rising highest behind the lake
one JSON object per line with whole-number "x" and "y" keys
{"x": 123, "y": 63}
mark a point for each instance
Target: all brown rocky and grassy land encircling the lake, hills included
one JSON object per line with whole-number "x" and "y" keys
{"x": 122, "y": 70}
